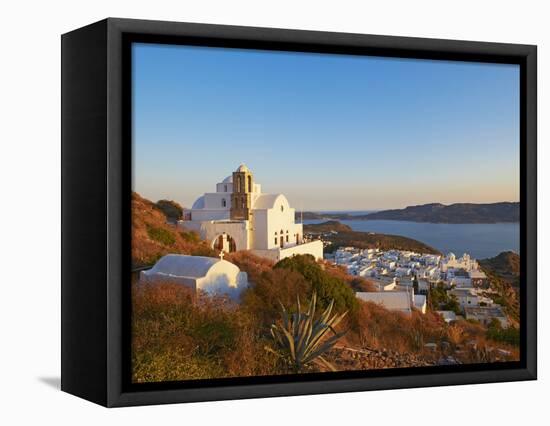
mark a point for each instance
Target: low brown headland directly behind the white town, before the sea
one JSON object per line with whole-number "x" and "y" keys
{"x": 340, "y": 235}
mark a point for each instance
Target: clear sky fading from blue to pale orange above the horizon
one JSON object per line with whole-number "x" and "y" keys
{"x": 331, "y": 132}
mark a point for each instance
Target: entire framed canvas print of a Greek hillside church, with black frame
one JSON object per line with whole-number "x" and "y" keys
{"x": 278, "y": 212}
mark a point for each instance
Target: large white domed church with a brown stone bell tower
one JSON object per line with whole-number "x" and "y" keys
{"x": 239, "y": 216}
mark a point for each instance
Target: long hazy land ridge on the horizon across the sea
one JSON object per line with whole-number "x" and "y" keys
{"x": 434, "y": 213}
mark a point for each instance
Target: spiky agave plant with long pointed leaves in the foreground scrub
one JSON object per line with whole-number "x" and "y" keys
{"x": 301, "y": 339}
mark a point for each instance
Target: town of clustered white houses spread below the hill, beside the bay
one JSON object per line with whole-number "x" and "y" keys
{"x": 395, "y": 273}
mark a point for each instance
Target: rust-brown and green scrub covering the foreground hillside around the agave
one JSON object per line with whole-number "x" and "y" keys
{"x": 180, "y": 335}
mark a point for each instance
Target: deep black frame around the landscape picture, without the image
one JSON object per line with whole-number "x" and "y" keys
{"x": 96, "y": 182}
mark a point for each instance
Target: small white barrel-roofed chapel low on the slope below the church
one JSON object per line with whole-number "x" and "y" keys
{"x": 208, "y": 274}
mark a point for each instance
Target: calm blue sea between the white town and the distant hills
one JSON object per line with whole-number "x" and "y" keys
{"x": 478, "y": 240}
